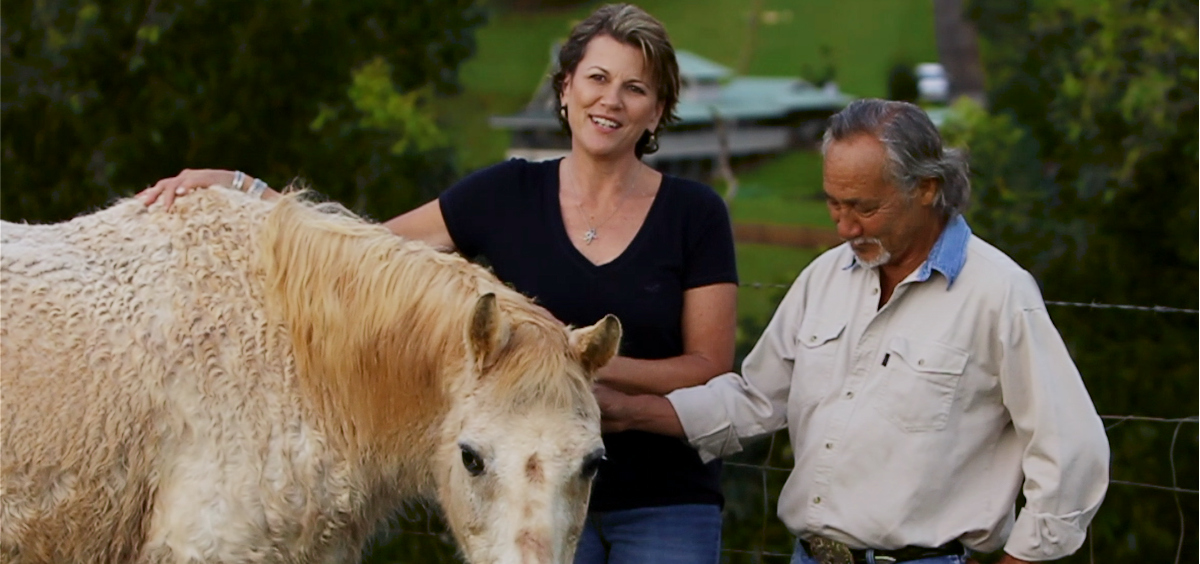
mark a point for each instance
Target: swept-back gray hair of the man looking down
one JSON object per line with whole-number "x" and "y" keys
{"x": 915, "y": 149}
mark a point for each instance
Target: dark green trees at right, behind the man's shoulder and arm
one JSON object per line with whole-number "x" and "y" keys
{"x": 1085, "y": 171}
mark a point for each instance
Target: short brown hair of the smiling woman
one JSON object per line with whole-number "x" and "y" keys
{"x": 631, "y": 26}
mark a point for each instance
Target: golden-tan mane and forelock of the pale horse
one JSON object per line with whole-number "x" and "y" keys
{"x": 376, "y": 319}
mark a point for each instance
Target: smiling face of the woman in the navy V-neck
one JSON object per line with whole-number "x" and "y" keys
{"x": 610, "y": 99}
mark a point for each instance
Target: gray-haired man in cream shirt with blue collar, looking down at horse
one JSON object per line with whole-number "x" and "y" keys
{"x": 917, "y": 371}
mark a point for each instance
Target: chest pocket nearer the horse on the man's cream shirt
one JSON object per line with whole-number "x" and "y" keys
{"x": 817, "y": 359}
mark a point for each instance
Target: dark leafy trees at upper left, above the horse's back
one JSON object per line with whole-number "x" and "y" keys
{"x": 100, "y": 100}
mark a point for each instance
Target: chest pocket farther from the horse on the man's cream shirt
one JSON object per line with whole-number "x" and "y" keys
{"x": 920, "y": 385}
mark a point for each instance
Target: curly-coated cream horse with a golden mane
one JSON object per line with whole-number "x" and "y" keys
{"x": 242, "y": 381}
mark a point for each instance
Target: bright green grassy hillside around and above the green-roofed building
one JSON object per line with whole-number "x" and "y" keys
{"x": 865, "y": 38}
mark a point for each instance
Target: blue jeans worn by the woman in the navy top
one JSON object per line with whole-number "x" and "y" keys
{"x": 671, "y": 535}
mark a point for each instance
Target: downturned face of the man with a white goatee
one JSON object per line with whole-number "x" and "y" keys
{"x": 879, "y": 221}
